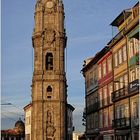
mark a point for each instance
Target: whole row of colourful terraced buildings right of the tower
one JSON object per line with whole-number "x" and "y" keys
{"x": 117, "y": 91}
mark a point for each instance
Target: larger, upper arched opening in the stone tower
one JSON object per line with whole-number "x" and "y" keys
{"x": 49, "y": 61}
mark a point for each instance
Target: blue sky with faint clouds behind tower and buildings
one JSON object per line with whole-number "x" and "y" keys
{"x": 88, "y": 29}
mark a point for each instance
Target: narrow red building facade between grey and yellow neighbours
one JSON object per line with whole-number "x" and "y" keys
{"x": 105, "y": 83}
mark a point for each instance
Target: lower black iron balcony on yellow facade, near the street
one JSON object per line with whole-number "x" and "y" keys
{"x": 121, "y": 122}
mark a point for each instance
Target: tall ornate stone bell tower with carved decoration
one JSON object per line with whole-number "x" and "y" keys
{"x": 49, "y": 81}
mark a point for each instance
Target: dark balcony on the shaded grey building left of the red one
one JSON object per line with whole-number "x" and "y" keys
{"x": 92, "y": 108}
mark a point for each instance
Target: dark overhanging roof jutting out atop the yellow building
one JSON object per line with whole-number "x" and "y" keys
{"x": 121, "y": 18}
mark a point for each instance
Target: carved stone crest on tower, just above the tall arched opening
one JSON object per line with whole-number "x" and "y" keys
{"x": 49, "y": 36}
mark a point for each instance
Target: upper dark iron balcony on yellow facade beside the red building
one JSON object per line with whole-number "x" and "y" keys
{"x": 119, "y": 93}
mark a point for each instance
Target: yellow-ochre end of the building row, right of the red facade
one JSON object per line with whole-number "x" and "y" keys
{"x": 125, "y": 48}
